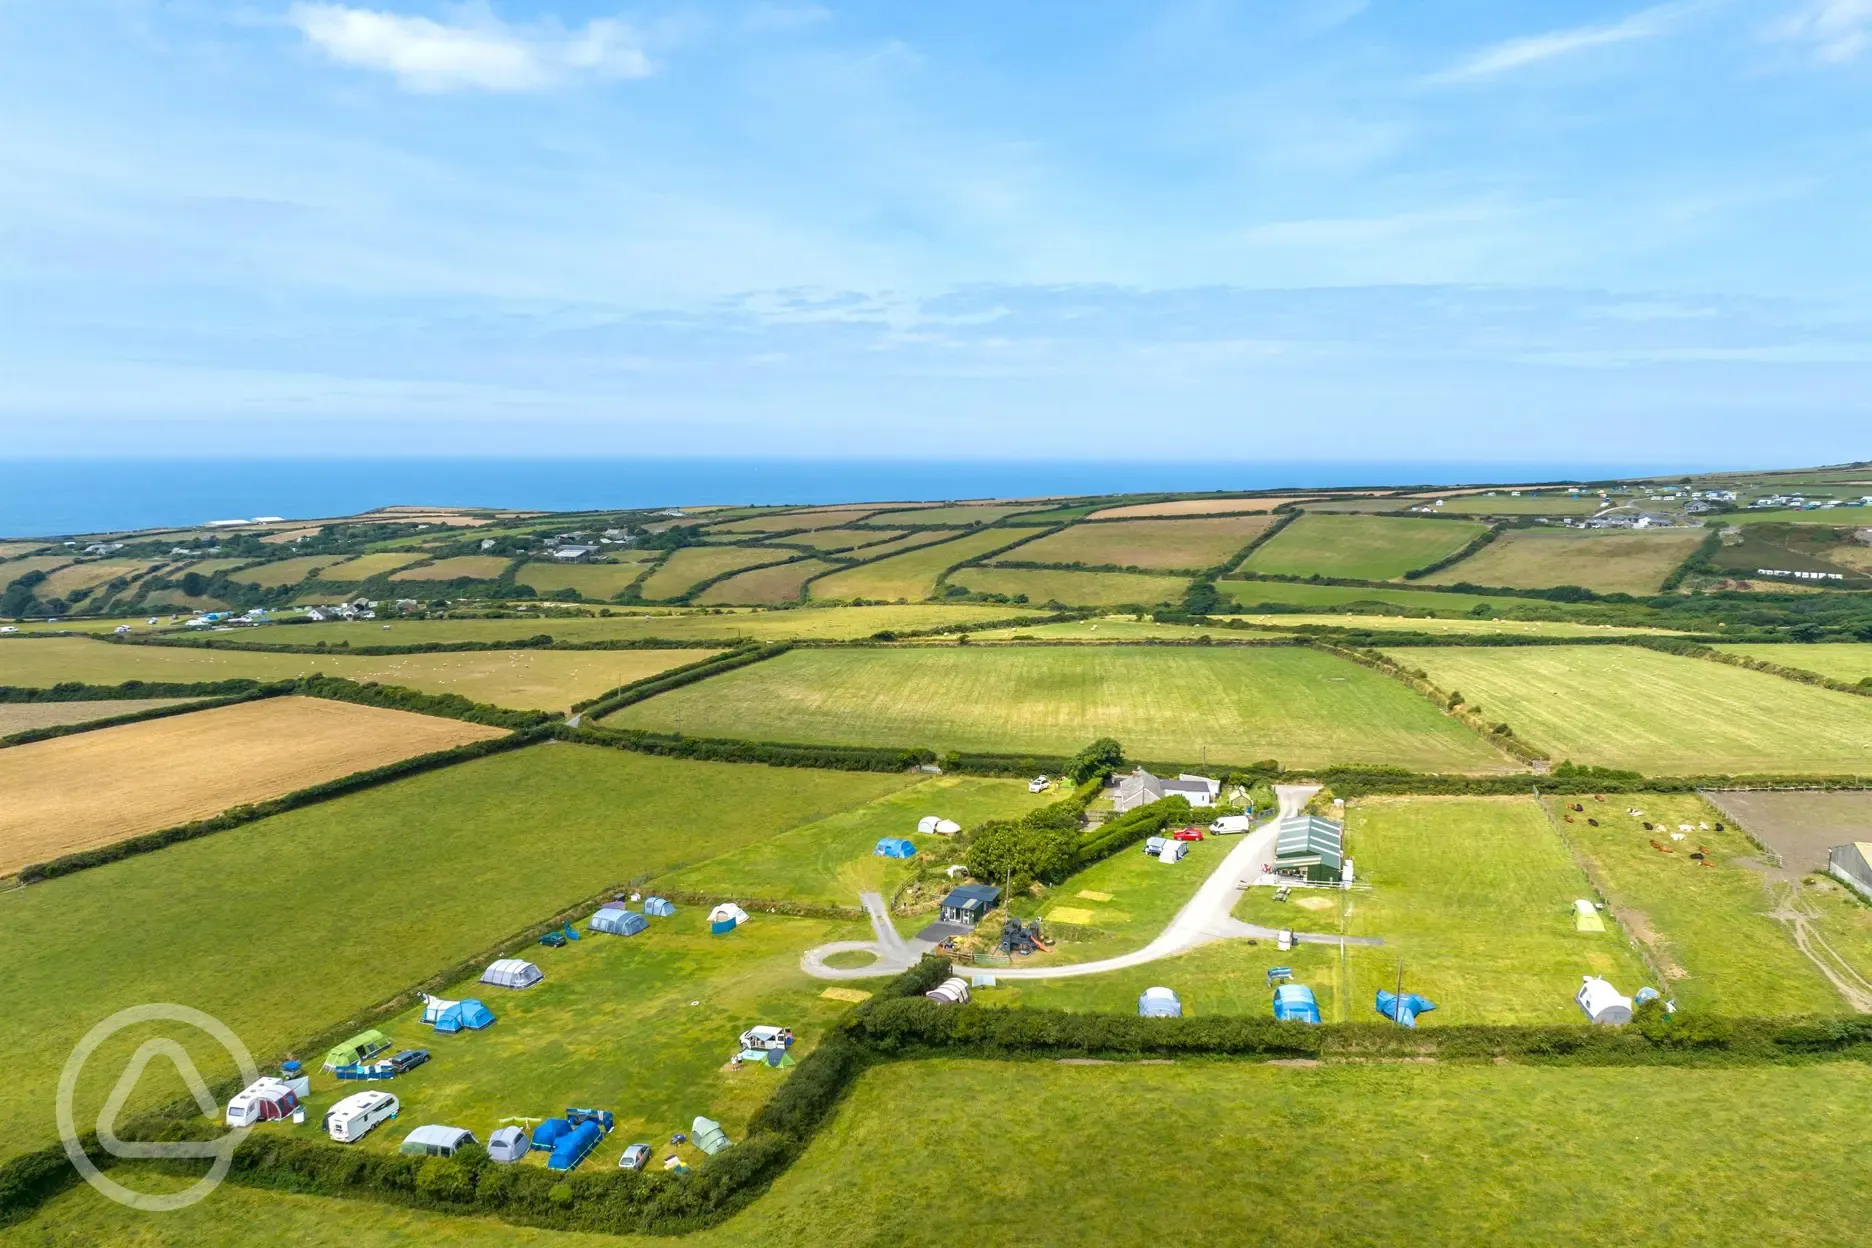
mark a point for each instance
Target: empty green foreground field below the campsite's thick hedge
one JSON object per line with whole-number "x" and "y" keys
{"x": 1429, "y": 1154}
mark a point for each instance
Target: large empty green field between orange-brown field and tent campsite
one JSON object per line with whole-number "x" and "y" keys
{"x": 285, "y": 927}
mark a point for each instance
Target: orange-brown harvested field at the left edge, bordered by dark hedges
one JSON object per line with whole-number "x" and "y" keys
{"x": 95, "y": 789}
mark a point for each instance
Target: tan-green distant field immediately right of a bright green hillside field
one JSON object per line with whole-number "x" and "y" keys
{"x": 1605, "y": 562}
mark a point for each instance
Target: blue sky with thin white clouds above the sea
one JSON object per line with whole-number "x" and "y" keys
{"x": 1227, "y": 231}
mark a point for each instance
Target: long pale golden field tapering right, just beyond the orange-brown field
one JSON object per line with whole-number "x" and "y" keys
{"x": 527, "y": 680}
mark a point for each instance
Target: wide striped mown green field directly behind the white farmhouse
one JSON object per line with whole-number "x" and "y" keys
{"x": 1236, "y": 704}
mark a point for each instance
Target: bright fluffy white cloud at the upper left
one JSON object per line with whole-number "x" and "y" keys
{"x": 476, "y": 51}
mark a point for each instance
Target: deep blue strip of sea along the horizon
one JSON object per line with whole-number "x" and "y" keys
{"x": 55, "y": 499}
